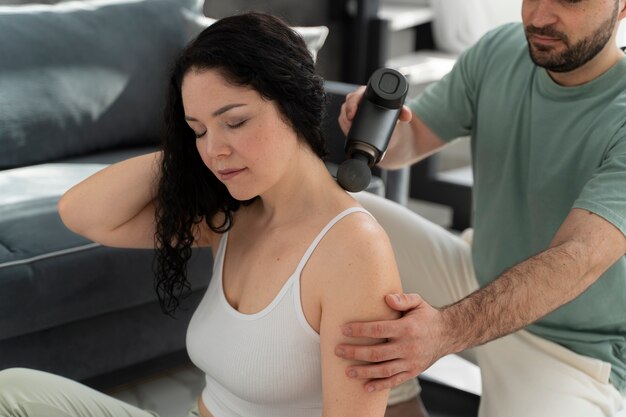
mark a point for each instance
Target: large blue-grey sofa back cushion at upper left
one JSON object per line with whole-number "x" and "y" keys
{"x": 84, "y": 76}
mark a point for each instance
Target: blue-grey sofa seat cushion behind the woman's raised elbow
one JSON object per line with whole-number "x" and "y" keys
{"x": 59, "y": 277}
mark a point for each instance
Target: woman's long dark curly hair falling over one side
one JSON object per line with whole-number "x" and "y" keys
{"x": 255, "y": 50}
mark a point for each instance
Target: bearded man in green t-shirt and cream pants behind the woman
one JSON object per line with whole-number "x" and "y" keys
{"x": 541, "y": 298}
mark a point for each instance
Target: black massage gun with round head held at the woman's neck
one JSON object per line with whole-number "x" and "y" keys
{"x": 372, "y": 127}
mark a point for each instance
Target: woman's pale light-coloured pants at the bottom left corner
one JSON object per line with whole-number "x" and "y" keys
{"x": 30, "y": 393}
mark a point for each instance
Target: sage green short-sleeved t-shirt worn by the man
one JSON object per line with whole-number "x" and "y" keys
{"x": 538, "y": 150}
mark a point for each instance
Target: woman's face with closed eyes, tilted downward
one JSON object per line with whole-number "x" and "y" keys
{"x": 241, "y": 137}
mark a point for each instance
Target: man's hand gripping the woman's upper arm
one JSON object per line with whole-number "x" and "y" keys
{"x": 411, "y": 343}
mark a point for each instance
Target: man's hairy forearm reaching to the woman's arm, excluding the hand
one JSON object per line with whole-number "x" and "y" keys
{"x": 520, "y": 296}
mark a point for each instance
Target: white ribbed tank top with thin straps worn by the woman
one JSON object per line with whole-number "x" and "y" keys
{"x": 265, "y": 364}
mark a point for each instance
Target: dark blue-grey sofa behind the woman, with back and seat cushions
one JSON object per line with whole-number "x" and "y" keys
{"x": 82, "y": 86}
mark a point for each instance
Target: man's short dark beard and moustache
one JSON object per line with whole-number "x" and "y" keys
{"x": 574, "y": 56}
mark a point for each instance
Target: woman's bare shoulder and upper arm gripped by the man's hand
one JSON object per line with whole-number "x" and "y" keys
{"x": 349, "y": 274}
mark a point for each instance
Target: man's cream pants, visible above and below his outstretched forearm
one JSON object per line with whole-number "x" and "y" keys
{"x": 522, "y": 374}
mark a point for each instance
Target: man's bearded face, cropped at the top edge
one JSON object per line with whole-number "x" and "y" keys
{"x": 563, "y": 35}
